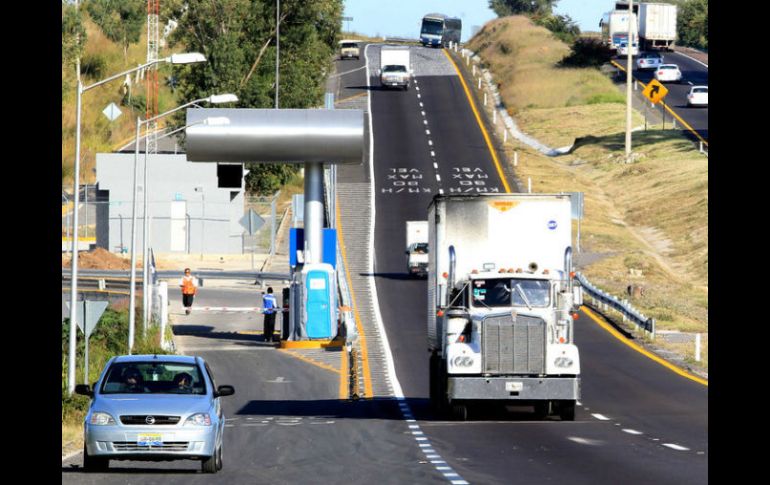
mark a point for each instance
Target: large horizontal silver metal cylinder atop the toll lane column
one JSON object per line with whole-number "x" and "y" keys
{"x": 275, "y": 135}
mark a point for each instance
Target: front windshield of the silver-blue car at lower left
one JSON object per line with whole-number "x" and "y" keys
{"x": 153, "y": 377}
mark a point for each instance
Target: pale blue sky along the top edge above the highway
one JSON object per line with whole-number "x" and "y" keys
{"x": 402, "y": 18}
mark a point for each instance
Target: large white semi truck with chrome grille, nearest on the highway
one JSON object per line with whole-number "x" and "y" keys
{"x": 501, "y": 303}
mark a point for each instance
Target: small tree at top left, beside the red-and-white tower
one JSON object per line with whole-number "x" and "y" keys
{"x": 120, "y": 20}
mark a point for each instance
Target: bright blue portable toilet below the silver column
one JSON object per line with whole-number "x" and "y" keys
{"x": 319, "y": 305}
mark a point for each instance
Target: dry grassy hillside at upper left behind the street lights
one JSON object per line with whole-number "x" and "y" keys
{"x": 103, "y": 58}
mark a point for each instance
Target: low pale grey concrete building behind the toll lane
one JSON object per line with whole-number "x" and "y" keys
{"x": 193, "y": 207}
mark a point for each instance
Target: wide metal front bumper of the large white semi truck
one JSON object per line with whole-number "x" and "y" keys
{"x": 530, "y": 388}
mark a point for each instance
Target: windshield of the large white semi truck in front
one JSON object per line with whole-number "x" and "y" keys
{"x": 505, "y": 292}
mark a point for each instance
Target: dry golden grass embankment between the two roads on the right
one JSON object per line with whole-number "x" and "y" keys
{"x": 649, "y": 218}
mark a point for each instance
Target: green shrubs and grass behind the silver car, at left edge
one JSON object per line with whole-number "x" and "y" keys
{"x": 109, "y": 338}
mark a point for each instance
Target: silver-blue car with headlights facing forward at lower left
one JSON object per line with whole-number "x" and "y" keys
{"x": 153, "y": 408}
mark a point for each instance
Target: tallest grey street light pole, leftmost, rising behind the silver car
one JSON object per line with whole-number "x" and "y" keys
{"x": 185, "y": 58}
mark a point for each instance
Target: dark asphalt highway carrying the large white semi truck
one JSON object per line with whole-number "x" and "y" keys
{"x": 652, "y": 423}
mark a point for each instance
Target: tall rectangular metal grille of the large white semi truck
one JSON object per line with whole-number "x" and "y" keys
{"x": 513, "y": 347}
